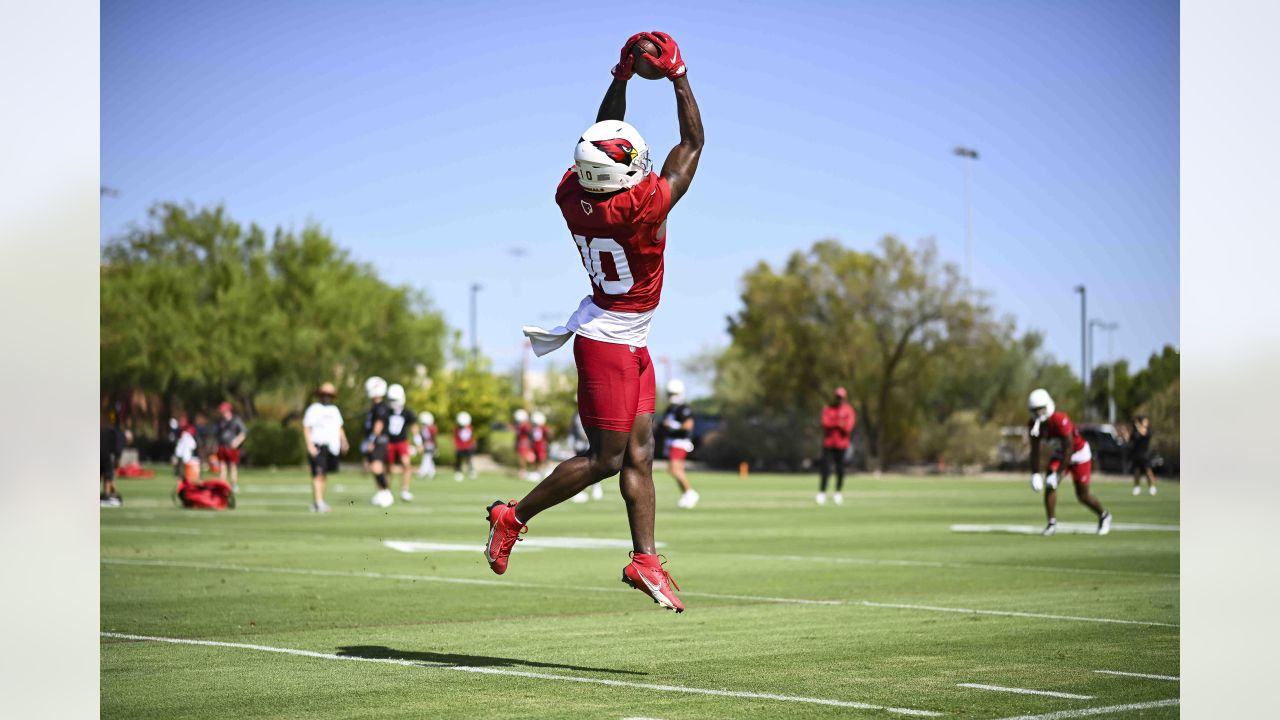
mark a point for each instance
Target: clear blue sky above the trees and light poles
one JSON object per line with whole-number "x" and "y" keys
{"x": 429, "y": 139}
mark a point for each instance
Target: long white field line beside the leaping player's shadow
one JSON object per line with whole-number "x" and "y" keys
{"x": 533, "y": 676}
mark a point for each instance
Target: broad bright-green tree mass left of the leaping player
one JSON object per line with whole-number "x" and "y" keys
{"x": 196, "y": 308}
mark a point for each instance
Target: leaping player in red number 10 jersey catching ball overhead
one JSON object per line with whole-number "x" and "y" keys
{"x": 616, "y": 209}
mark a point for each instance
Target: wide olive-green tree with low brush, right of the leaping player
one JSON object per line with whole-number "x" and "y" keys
{"x": 921, "y": 356}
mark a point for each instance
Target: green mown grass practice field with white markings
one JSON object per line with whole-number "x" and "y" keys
{"x": 870, "y": 610}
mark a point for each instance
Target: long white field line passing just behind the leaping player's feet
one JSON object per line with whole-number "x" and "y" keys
{"x": 589, "y": 589}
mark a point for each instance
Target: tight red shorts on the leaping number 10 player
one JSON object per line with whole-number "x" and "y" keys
{"x": 615, "y": 384}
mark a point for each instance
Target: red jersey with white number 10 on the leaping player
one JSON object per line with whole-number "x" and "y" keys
{"x": 621, "y": 239}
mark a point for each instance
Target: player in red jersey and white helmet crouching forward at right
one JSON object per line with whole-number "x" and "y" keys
{"x": 1073, "y": 453}
